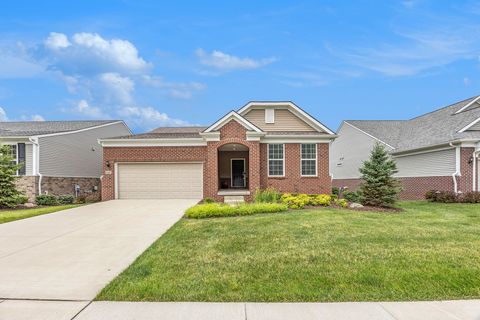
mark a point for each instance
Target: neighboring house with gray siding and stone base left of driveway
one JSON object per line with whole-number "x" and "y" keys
{"x": 59, "y": 157}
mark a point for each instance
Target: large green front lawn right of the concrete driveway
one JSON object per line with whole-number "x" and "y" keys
{"x": 430, "y": 251}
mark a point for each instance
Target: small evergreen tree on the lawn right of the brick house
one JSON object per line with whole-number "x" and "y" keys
{"x": 379, "y": 188}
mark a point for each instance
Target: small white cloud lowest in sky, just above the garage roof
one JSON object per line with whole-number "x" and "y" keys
{"x": 148, "y": 117}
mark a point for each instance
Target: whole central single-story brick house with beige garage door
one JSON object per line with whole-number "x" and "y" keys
{"x": 263, "y": 144}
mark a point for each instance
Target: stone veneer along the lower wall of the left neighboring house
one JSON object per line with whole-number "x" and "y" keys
{"x": 66, "y": 185}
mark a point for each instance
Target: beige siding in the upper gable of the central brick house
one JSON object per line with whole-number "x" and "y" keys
{"x": 284, "y": 121}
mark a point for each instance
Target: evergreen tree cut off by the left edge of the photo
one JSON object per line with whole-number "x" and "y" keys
{"x": 9, "y": 195}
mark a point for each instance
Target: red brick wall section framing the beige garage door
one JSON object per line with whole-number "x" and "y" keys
{"x": 144, "y": 154}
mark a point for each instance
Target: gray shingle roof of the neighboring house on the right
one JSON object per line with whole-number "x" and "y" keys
{"x": 436, "y": 127}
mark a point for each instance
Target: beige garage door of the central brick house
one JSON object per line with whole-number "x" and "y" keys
{"x": 160, "y": 181}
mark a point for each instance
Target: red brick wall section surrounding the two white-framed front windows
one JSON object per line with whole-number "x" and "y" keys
{"x": 293, "y": 181}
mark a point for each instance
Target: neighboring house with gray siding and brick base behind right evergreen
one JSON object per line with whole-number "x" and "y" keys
{"x": 438, "y": 150}
